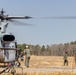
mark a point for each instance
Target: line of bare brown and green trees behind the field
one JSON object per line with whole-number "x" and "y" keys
{"x": 51, "y": 50}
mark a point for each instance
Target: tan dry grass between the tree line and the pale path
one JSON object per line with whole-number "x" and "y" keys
{"x": 43, "y": 61}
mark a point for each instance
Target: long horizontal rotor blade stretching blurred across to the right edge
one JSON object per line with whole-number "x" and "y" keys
{"x": 28, "y": 17}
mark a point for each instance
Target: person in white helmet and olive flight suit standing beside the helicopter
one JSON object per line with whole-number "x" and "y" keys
{"x": 27, "y": 53}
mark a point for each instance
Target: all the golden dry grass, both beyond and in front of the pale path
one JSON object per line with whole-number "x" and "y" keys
{"x": 45, "y": 62}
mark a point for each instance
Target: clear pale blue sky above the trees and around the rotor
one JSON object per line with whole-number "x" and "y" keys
{"x": 45, "y": 31}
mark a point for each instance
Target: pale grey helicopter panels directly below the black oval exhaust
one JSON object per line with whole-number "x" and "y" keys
{"x": 9, "y": 55}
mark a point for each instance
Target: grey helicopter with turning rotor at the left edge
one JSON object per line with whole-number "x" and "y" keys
{"x": 8, "y": 43}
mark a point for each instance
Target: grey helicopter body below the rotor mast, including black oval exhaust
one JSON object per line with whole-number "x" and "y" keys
{"x": 7, "y": 47}
